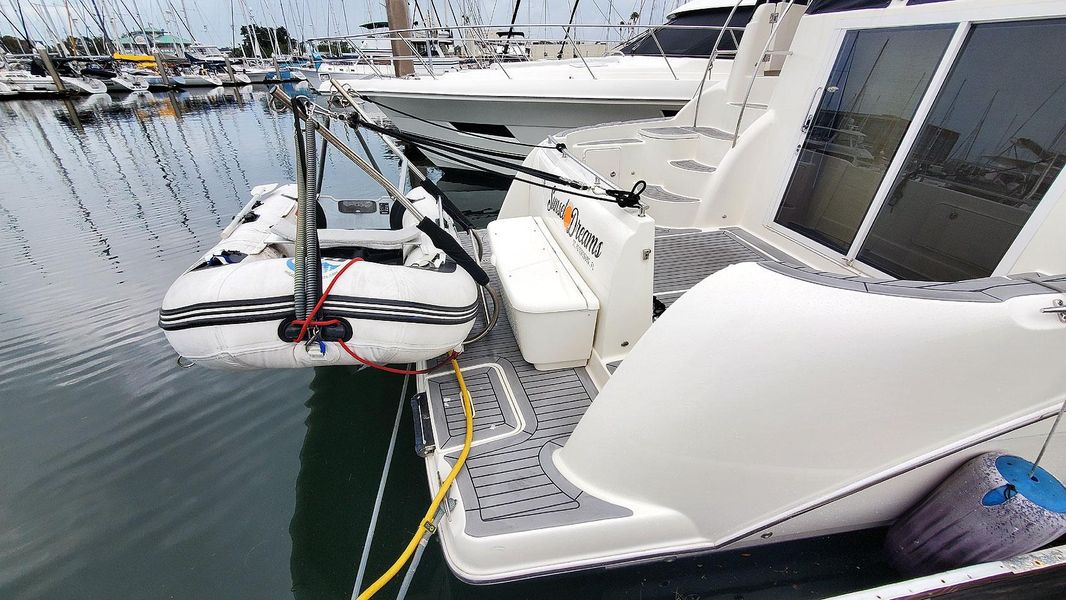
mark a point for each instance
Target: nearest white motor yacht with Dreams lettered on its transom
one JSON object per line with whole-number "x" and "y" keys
{"x": 844, "y": 280}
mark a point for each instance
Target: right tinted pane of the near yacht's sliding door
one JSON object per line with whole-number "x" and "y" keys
{"x": 994, "y": 143}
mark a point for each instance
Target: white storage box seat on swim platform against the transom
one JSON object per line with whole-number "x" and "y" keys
{"x": 552, "y": 310}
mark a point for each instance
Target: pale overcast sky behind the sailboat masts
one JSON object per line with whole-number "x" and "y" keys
{"x": 211, "y": 20}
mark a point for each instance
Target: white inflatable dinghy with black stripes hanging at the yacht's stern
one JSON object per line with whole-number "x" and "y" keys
{"x": 394, "y": 297}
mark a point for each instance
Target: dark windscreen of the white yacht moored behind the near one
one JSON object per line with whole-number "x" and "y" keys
{"x": 698, "y": 43}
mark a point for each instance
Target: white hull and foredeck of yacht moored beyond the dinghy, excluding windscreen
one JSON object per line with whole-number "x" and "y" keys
{"x": 510, "y": 110}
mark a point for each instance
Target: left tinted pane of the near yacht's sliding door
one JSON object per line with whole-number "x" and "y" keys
{"x": 867, "y": 106}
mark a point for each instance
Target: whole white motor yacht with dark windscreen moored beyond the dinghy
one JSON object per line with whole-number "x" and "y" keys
{"x": 524, "y": 103}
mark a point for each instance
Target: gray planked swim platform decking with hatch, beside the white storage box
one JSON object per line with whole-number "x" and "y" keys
{"x": 511, "y": 484}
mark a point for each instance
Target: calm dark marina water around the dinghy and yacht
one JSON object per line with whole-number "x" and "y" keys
{"x": 123, "y": 476}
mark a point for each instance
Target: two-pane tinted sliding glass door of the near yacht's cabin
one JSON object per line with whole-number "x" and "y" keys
{"x": 967, "y": 181}
